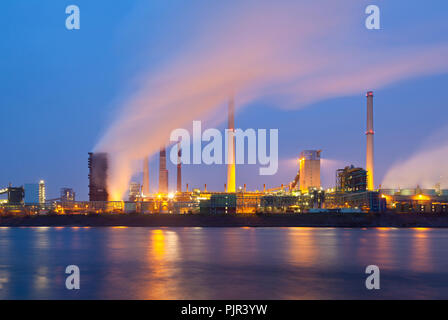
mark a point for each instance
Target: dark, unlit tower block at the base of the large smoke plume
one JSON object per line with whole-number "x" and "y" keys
{"x": 98, "y": 166}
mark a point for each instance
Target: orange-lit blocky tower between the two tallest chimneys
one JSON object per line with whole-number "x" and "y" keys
{"x": 309, "y": 170}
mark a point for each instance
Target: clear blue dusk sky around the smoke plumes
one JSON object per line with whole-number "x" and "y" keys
{"x": 61, "y": 89}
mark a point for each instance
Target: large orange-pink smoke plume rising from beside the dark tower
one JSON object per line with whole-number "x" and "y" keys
{"x": 281, "y": 51}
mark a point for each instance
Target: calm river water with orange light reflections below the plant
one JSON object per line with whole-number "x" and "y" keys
{"x": 223, "y": 263}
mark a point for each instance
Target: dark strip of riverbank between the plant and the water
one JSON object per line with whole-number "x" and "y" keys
{"x": 340, "y": 220}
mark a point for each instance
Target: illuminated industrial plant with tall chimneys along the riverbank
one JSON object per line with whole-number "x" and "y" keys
{"x": 354, "y": 189}
